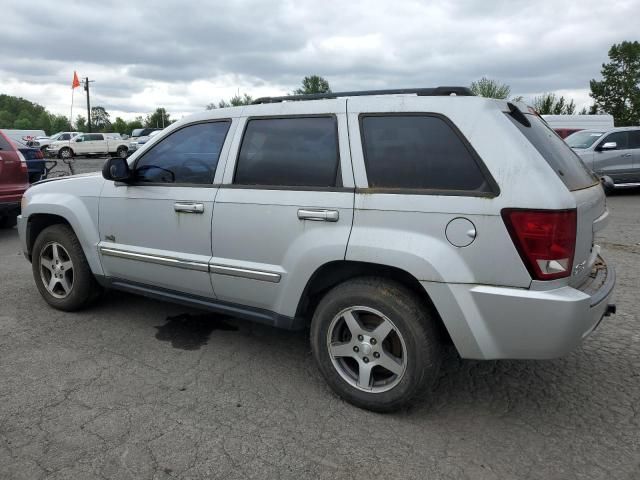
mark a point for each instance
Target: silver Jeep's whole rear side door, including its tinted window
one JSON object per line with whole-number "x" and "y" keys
{"x": 286, "y": 204}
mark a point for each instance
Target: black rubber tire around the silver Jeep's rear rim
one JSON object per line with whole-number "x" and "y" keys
{"x": 412, "y": 318}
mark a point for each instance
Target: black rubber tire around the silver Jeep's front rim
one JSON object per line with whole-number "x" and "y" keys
{"x": 85, "y": 289}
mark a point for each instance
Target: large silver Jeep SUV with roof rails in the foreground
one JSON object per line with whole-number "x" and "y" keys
{"x": 390, "y": 222}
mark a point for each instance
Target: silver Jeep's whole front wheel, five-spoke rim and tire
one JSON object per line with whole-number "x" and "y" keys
{"x": 61, "y": 271}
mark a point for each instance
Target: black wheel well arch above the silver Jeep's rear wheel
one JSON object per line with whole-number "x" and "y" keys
{"x": 334, "y": 273}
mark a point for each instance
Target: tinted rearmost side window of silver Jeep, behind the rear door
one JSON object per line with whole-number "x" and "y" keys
{"x": 418, "y": 152}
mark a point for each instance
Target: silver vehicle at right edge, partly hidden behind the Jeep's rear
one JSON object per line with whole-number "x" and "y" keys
{"x": 615, "y": 153}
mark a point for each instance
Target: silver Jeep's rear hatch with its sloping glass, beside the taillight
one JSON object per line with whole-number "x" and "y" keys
{"x": 592, "y": 214}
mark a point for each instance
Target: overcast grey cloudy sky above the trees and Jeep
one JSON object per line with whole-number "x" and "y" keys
{"x": 183, "y": 55}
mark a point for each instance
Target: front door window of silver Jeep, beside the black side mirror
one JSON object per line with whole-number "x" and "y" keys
{"x": 188, "y": 155}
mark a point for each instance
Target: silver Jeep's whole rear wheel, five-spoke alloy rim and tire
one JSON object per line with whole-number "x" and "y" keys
{"x": 376, "y": 343}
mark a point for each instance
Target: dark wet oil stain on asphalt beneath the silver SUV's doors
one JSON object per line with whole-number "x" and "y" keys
{"x": 191, "y": 331}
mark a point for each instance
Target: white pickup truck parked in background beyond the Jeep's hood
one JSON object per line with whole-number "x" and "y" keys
{"x": 90, "y": 144}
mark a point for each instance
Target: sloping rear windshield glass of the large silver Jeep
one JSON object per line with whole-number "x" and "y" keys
{"x": 564, "y": 161}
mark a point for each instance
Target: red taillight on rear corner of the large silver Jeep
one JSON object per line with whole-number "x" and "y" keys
{"x": 545, "y": 240}
